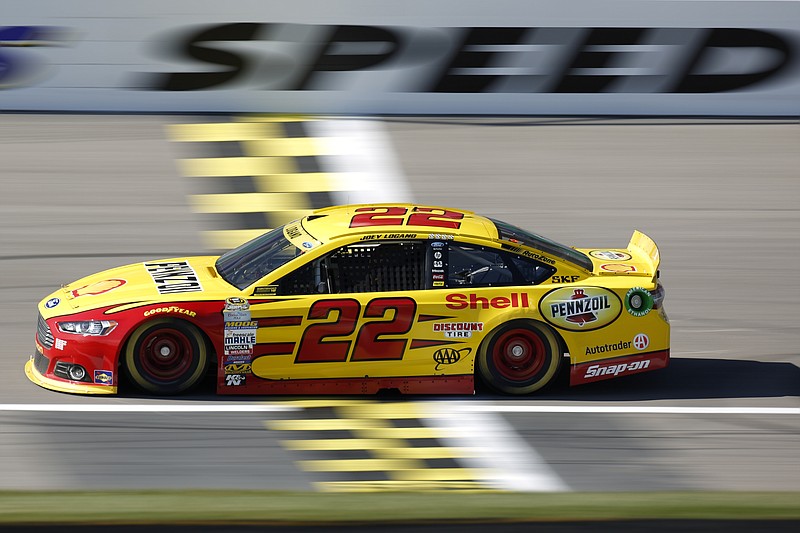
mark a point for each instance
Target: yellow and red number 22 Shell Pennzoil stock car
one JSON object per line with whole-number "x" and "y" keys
{"x": 358, "y": 299}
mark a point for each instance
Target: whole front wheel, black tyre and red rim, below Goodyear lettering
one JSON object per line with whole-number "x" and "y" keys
{"x": 166, "y": 356}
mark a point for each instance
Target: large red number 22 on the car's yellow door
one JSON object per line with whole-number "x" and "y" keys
{"x": 316, "y": 346}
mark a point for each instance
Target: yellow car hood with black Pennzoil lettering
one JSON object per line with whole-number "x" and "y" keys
{"x": 161, "y": 280}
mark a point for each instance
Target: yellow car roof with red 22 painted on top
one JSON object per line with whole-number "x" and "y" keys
{"x": 335, "y": 222}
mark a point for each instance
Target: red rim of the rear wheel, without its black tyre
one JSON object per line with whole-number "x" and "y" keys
{"x": 519, "y": 354}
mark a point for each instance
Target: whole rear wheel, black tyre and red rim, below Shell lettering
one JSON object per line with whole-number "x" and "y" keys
{"x": 519, "y": 357}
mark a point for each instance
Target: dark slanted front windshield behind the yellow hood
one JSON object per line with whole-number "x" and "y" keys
{"x": 243, "y": 266}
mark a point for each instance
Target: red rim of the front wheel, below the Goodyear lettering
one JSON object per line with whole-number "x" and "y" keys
{"x": 166, "y": 354}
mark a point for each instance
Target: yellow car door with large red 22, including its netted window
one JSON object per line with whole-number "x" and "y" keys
{"x": 352, "y": 313}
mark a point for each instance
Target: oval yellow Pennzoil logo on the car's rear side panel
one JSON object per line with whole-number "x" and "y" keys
{"x": 580, "y": 308}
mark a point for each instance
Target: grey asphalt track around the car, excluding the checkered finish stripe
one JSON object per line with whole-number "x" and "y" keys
{"x": 85, "y": 193}
